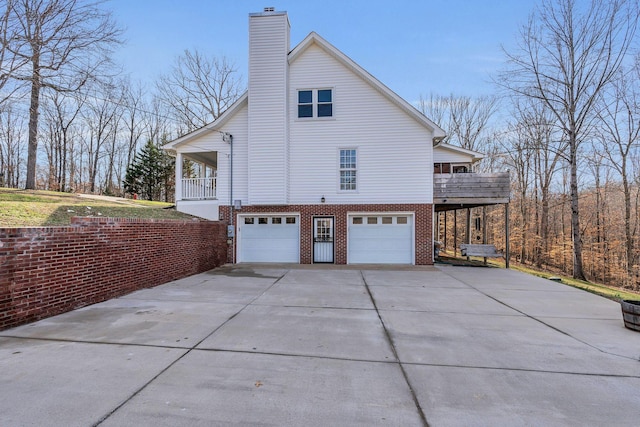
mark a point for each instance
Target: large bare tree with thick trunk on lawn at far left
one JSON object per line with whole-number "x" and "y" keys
{"x": 61, "y": 44}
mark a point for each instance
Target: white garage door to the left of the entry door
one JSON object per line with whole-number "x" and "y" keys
{"x": 268, "y": 238}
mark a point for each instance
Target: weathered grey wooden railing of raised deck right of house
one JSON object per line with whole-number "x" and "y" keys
{"x": 467, "y": 190}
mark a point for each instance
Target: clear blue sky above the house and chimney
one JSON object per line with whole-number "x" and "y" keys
{"x": 415, "y": 47}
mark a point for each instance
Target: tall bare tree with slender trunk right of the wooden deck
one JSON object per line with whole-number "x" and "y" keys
{"x": 569, "y": 52}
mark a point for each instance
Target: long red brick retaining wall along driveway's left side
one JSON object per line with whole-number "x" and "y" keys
{"x": 49, "y": 270}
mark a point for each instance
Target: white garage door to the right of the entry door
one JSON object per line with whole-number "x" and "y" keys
{"x": 380, "y": 239}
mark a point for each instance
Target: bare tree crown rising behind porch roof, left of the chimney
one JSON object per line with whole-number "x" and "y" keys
{"x": 198, "y": 89}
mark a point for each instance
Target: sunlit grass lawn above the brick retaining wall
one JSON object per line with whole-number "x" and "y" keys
{"x": 28, "y": 208}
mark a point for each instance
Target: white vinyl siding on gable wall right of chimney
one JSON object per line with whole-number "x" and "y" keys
{"x": 395, "y": 162}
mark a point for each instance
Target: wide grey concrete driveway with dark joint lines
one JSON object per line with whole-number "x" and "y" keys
{"x": 289, "y": 345}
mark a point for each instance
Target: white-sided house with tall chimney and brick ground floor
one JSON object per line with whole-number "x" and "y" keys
{"x": 318, "y": 162}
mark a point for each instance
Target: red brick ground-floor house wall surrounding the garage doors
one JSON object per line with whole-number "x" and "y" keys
{"x": 423, "y": 226}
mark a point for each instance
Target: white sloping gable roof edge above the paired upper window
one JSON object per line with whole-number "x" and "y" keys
{"x": 314, "y": 38}
